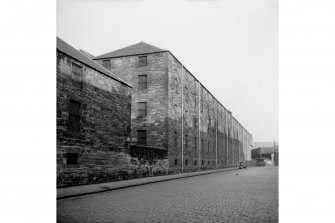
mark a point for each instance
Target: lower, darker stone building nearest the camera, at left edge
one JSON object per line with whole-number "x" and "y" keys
{"x": 93, "y": 115}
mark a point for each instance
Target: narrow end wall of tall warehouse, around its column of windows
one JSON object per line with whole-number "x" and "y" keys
{"x": 155, "y": 123}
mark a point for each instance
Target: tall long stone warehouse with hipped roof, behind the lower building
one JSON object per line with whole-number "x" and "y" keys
{"x": 173, "y": 114}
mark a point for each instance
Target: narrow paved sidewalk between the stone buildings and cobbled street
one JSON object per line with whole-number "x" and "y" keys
{"x": 76, "y": 191}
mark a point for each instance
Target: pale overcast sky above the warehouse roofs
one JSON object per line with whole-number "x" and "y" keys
{"x": 228, "y": 45}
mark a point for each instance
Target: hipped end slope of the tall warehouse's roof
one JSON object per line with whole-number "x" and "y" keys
{"x": 138, "y": 48}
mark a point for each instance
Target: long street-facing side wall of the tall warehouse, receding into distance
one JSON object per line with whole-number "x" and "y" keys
{"x": 202, "y": 133}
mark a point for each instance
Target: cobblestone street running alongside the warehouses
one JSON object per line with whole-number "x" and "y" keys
{"x": 247, "y": 195}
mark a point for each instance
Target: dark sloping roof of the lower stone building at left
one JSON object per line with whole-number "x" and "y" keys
{"x": 72, "y": 52}
